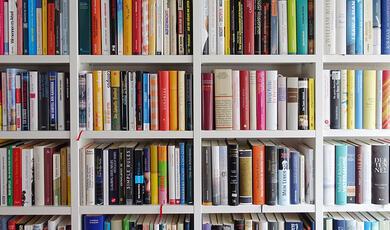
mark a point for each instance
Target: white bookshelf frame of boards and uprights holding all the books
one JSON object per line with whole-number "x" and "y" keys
{"x": 312, "y": 65}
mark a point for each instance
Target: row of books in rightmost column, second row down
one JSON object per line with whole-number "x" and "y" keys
{"x": 357, "y": 99}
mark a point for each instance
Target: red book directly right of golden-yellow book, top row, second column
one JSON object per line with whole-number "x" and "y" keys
{"x": 137, "y": 32}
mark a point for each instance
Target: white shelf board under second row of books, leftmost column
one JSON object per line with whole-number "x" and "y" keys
{"x": 34, "y": 134}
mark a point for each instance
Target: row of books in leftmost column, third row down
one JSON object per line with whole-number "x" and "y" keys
{"x": 34, "y": 173}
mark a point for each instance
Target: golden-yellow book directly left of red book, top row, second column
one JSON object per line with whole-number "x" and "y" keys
{"x": 127, "y": 28}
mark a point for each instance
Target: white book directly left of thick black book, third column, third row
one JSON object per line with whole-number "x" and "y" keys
{"x": 223, "y": 168}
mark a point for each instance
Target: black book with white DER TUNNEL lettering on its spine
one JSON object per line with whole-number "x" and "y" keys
{"x": 380, "y": 174}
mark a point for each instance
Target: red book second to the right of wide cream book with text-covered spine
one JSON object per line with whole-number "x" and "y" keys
{"x": 244, "y": 99}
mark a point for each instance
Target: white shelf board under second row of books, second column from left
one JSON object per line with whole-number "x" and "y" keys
{"x": 137, "y": 134}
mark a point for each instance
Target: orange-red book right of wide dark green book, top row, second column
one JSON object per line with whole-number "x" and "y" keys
{"x": 96, "y": 28}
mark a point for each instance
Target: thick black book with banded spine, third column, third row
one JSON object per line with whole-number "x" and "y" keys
{"x": 233, "y": 173}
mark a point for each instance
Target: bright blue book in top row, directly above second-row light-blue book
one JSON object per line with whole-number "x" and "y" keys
{"x": 359, "y": 36}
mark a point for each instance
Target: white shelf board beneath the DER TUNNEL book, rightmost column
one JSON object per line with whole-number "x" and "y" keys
{"x": 357, "y": 208}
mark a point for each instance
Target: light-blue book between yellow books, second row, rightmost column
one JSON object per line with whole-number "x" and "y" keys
{"x": 358, "y": 99}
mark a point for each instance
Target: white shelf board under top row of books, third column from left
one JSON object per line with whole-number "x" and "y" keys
{"x": 277, "y": 59}
